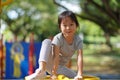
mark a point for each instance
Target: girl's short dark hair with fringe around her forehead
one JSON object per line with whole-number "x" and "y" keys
{"x": 67, "y": 14}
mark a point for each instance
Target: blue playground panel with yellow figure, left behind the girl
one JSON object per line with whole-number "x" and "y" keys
{"x": 23, "y": 65}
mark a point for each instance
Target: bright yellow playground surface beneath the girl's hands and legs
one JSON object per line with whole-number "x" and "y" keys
{"x": 62, "y": 77}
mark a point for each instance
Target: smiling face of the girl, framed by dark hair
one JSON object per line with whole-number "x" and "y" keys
{"x": 68, "y": 27}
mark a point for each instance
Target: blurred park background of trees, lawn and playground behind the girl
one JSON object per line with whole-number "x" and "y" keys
{"x": 25, "y": 23}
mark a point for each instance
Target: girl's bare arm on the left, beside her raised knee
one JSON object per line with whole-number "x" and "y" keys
{"x": 56, "y": 60}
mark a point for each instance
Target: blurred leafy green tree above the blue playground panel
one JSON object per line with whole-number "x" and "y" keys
{"x": 36, "y": 16}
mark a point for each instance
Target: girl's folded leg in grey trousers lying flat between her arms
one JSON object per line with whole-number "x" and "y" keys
{"x": 66, "y": 71}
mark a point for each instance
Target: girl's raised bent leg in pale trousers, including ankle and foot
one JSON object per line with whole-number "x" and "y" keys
{"x": 45, "y": 60}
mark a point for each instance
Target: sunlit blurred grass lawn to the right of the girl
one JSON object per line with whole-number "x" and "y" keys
{"x": 100, "y": 59}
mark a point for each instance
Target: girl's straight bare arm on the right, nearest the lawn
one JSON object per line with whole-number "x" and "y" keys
{"x": 80, "y": 64}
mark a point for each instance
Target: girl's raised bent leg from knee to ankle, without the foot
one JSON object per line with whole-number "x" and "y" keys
{"x": 46, "y": 56}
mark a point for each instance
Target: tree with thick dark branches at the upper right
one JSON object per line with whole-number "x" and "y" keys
{"x": 104, "y": 13}
